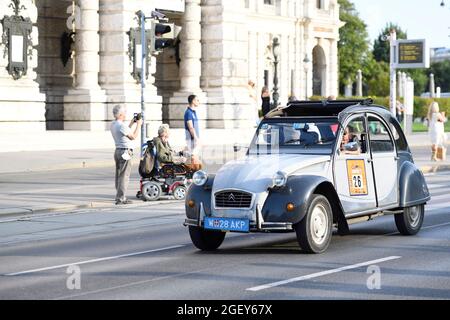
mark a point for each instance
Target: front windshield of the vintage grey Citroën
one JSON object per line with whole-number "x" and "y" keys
{"x": 306, "y": 136}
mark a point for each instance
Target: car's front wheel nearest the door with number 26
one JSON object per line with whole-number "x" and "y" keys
{"x": 315, "y": 229}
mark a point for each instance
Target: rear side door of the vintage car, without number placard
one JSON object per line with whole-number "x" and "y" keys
{"x": 384, "y": 157}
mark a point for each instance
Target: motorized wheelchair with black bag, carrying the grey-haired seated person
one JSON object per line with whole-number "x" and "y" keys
{"x": 168, "y": 179}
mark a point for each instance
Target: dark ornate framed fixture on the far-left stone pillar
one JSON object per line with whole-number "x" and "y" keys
{"x": 17, "y": 41}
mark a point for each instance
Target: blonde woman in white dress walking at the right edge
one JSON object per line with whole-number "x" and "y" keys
{"x": 436, "y": 128}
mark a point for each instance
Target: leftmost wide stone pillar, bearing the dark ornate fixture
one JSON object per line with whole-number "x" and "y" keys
{"x": 21, "y": 102}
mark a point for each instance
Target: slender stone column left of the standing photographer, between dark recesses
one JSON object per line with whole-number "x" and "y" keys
{"x": 84, "y": 105}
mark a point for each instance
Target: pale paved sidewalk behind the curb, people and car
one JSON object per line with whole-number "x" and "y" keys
{"x": 65, "y": 180}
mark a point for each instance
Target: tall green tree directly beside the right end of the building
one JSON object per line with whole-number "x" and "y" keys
{"x": 353, "y": 45}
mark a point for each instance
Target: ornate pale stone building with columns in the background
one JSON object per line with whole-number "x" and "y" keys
{"x": 79, "y": 63}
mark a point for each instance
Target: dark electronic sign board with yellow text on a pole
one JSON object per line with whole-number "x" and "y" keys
{"x": 412, "y": 54}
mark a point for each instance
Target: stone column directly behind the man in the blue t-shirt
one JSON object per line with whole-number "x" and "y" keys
{"x": 190, "y": 67}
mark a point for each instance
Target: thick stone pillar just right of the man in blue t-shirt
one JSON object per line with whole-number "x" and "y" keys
{"x": 225, "y": 64}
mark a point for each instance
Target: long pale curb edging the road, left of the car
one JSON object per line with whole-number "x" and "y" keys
{"x": 24, "y": 213}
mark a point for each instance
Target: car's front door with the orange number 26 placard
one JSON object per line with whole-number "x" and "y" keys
{"x": 353, "y": 175}
